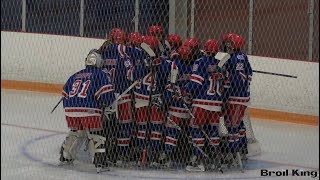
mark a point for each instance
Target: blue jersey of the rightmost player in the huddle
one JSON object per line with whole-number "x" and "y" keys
{"x": 240, "y": 74}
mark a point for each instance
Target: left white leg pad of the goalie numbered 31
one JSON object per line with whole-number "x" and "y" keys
{"x": 72, "y": 144}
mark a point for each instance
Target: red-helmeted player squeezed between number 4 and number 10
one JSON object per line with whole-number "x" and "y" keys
{"x": 177, "y": 114}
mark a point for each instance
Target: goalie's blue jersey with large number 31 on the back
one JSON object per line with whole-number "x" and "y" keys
{"x": 86, "y": 91}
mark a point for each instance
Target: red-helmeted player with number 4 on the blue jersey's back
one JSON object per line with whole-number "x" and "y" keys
{"x": 153, "y": 74}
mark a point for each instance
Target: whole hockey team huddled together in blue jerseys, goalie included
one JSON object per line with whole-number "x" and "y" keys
{"x": 158, "y": 90}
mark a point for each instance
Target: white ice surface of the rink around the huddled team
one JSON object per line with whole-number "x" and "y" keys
{"x": 31, "y": 138}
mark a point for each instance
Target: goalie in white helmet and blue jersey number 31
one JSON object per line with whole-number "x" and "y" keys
{"x": 85, "y": 94}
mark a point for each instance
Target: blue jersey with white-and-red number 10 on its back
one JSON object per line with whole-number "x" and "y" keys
{"x": 206, "y": 84}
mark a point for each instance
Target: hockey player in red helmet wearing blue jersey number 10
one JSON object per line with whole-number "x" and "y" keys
{"x": 206, "y": 87}
